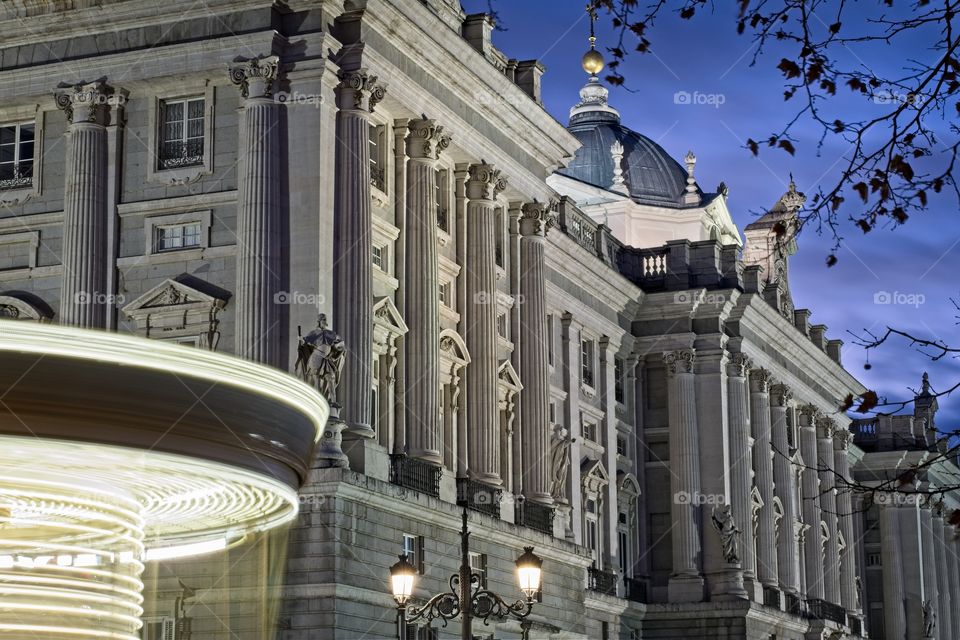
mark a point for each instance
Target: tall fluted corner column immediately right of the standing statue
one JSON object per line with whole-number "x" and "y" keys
{"x": 357, "y": 94}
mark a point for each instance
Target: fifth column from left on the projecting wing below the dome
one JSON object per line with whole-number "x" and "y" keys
{"x": 810, "y": 487}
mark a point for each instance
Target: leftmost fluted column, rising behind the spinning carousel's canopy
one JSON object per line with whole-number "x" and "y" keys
{"x": 84, "y": 298}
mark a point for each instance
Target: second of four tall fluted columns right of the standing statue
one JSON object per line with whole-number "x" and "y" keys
{"x": 424, "y": 144}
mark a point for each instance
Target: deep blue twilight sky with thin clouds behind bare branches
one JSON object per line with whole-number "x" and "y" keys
{"x": 915, "y": 264}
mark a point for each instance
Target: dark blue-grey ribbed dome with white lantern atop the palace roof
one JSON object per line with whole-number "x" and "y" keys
{"x": 649, "y": 173}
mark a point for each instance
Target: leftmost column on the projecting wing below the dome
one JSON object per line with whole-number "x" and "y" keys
{"x": 686, "y": 582}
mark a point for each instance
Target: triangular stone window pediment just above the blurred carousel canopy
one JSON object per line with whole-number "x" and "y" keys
{"x": 182, "y": 309}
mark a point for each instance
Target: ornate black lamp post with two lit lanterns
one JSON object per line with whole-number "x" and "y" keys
{"x": 467, "y": 596}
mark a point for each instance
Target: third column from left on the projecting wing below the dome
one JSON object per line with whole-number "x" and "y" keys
{"x": 763, "y": 464}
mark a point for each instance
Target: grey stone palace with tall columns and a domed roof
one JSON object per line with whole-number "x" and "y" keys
{"x": 560, "y": 315}
